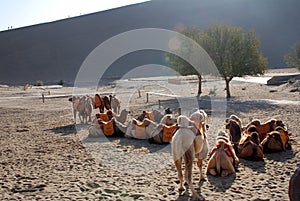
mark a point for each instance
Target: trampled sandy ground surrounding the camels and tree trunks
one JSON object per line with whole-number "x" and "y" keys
{"x": 44, "y": 156}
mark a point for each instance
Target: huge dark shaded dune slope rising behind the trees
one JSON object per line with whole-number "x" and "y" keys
{"x": 55, "y": 51}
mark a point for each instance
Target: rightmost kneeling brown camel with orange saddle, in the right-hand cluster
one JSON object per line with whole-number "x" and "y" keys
{"x": 276, "y": 140}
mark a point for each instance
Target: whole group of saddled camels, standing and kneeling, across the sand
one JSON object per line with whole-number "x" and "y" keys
{"x": 186, "y": 134}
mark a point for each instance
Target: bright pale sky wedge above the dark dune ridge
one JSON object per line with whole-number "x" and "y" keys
{"x": 20, "y": 13}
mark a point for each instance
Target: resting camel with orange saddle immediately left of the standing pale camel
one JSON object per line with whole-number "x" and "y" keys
{"x": 167, "y": 129}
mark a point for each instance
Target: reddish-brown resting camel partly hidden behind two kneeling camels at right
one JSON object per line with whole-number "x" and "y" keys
{"x": 264, "y": 128}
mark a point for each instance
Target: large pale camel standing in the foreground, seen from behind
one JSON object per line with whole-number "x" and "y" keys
{"x": 188, "y": 142}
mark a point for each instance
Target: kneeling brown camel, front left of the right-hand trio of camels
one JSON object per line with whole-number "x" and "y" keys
{"x": 249, "y": 147}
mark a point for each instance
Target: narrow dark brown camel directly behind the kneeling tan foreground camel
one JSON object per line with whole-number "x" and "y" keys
{"x": 235, "y": 131}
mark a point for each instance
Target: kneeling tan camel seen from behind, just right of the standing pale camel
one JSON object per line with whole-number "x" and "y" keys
{"x": 222, "y": 159}
